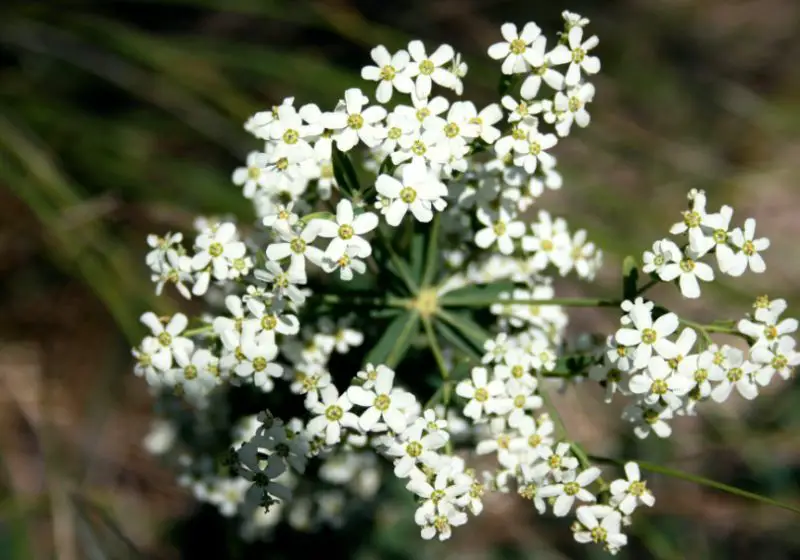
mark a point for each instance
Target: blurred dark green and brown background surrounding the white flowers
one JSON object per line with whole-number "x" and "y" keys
{"x": 119, "y": 118}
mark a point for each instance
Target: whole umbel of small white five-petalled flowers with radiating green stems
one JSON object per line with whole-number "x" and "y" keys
{"x": 393, "y": 311}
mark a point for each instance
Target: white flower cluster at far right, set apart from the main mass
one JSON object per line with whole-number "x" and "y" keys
{"x": 667, "y": 369}
